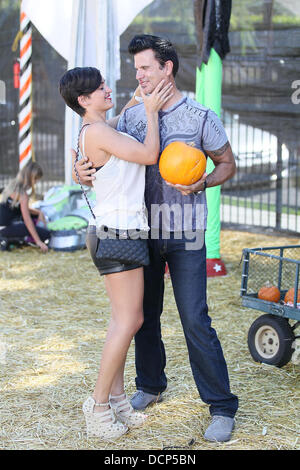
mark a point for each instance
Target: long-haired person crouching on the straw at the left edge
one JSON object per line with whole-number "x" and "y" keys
{"x": 15, "y": 207}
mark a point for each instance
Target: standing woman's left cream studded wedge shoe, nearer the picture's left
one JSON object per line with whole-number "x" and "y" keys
{"x": 103, "y": 424}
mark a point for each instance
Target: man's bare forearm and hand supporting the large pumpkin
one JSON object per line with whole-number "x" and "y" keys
{"x": 225, "y": 169}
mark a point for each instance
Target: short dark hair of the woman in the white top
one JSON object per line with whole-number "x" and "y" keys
{"x": 77, "y": 82}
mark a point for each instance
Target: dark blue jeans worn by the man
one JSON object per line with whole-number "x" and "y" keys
{"x": 188, "y": 275}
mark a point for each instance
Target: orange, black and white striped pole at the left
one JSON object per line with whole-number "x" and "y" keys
{"x": 25, "y": 101}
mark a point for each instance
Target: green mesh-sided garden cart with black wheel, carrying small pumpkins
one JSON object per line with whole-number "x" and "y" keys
{"x": 271, "y": 338}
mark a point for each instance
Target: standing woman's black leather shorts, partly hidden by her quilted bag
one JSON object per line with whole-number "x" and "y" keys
{"x": 104, "y": 266}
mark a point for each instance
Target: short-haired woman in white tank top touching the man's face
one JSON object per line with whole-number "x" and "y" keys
{"x": 120, "y": 181}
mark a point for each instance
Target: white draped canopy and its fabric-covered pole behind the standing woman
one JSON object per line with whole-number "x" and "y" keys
{"x": 85, "y": 33}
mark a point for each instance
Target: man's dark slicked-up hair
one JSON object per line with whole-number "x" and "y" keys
{"x": 163, "y": 49}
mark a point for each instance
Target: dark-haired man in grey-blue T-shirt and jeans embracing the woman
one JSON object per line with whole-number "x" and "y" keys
{"x": 176, "y": 214}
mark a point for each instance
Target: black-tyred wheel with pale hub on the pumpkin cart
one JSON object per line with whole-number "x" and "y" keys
{"x": 270, "y": 340}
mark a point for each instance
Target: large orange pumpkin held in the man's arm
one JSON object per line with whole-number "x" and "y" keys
{"x": 181, "y": 163}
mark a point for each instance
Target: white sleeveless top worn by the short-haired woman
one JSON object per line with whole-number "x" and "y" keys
{"x": 120, "y": 188}
